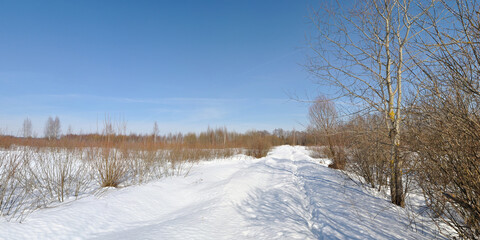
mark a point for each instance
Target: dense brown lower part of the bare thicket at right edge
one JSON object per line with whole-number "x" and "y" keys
{"x": 448, "y": 147}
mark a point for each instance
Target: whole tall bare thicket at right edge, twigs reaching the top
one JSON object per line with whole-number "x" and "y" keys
{"x": 445, "y": 123}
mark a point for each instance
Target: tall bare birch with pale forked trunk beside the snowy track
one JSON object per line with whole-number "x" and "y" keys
{"x": 363, "y": 50}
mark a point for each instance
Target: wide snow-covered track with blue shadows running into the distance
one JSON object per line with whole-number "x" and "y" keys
{"x": 286, "y": 195}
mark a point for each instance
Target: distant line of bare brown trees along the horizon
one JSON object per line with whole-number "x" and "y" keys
{"x": 115, "y": 134}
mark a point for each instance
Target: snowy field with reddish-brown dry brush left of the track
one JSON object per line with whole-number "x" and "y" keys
{"x": 35, "y": 173}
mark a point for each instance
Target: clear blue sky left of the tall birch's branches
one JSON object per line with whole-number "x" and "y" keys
{"x": 185, "y": 64}
